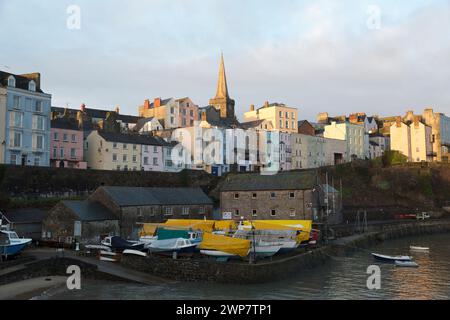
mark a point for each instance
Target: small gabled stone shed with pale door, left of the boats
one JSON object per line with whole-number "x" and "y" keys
{"x": 84, "y": 221}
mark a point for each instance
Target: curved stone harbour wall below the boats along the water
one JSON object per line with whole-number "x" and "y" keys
{"x": 207, "y": 269}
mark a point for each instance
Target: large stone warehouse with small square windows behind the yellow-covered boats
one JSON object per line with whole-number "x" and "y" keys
{"x": 284, "y": 196}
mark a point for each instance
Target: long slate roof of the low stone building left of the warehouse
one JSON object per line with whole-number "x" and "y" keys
{"x": 139, "y": 196}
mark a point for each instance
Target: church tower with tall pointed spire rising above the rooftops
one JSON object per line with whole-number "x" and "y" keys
{"x": 222, "y": 100}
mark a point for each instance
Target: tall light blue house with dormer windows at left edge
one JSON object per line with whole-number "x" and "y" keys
{"x": 24, "y": 120}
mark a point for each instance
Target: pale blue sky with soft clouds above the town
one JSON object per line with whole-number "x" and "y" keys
{"x": 380, "y": 57}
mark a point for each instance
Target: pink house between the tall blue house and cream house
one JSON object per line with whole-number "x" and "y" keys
{"x": 66, "y": 144}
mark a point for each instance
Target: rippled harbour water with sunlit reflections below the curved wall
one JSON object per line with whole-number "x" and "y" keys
{"x": 342, "y": 278}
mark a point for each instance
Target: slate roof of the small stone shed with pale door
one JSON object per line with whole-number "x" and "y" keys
{"x": 89, "y": 211}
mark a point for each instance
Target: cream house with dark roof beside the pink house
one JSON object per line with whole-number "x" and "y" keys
{"x": 113, "y": 151}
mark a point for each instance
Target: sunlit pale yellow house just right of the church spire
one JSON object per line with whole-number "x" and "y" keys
{"x": 282, "y": 117}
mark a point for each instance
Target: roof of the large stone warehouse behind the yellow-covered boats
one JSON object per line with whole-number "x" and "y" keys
{"x": 294, "y": 180}
